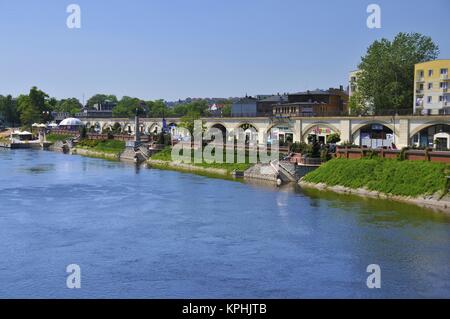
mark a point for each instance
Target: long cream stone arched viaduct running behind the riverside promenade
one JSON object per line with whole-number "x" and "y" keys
{"x": 402, "y": 127}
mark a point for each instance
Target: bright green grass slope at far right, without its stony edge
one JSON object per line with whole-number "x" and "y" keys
{"x": 389, "y": 176}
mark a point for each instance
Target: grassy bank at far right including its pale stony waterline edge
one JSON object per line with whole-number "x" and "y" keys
{"x": 420, "y": 182}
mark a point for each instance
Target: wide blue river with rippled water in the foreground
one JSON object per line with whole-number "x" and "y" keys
{"x": 146, "y": 233}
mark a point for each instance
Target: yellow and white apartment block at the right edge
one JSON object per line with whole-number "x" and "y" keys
{"x": 431, "y": 87}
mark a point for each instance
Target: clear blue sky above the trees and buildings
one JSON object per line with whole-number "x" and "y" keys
{"x": 174, "y": 49}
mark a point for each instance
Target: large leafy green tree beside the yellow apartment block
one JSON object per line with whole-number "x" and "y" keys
{"x": 386, "y": 80}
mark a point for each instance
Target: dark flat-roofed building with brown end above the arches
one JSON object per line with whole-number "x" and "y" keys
{"x": 332, "y": 102}
